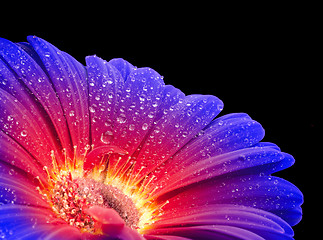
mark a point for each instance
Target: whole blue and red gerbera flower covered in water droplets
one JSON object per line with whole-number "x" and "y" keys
{"x": 108, "y": 151}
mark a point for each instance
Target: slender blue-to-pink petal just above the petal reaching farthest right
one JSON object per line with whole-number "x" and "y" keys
{"x": 240, "y": 162}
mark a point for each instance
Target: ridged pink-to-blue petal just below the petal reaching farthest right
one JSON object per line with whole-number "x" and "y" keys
{"x": 265, "y": 224}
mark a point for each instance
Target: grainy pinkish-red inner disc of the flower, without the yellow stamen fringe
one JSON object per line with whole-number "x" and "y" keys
{"x": 70, "y": 197}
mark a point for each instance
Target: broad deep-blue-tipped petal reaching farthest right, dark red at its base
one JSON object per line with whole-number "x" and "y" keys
{"x": 269, "y": 193}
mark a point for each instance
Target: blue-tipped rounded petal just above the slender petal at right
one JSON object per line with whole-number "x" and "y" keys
{"x": 225, "y": 134}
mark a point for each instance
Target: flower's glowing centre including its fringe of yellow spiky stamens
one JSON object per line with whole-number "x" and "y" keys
{"x": 70, "y": 191}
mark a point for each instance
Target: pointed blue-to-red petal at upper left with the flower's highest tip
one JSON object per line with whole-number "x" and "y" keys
{"x": 69, "y": 79}
